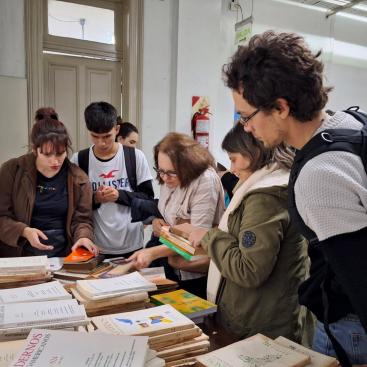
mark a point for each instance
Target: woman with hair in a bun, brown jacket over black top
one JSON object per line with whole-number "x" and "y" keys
{"x": 45, "y": 201}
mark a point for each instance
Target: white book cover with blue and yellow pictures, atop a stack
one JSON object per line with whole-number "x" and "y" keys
{"x": 151, "y": 321}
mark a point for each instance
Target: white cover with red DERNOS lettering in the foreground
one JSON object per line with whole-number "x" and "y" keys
{"x": 73, "y": 349}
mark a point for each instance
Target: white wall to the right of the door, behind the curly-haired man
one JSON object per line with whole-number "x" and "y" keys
{"x": 188, "y": 61}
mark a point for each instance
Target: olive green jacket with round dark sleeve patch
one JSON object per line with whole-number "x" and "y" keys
{"x": 262, "y": 260}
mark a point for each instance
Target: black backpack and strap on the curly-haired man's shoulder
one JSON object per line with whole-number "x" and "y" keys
{"x": 348, "y": 140}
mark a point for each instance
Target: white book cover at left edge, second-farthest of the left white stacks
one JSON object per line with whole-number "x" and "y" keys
{"x": 35, "y": 293}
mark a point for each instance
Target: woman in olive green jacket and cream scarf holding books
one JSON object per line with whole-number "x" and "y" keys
{"x": 258, "y": 256}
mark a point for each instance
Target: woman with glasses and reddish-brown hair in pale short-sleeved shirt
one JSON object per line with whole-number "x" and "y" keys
{"x": 190, "y": 192}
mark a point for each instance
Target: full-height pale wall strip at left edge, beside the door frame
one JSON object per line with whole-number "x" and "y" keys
{"x": 13, "y": 84}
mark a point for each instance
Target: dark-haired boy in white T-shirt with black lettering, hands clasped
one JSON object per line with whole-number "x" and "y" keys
{"x": 112, "y": 192}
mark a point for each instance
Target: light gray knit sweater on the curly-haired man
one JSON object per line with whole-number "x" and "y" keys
{"x": 331, "y": 189}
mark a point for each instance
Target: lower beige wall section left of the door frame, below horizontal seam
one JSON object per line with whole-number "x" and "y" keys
{"x": 13, "y": 117}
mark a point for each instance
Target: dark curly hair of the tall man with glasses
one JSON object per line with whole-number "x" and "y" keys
{"x": 278, "y": 65}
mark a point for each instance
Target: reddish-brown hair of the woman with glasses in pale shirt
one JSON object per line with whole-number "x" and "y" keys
{"x": 188, "y": 157}
